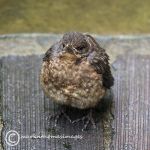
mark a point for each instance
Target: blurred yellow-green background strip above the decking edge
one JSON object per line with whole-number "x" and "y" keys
{"x": 58, "y": 16}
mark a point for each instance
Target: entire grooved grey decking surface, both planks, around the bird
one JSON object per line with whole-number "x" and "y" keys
{"x": 25, "y": 109}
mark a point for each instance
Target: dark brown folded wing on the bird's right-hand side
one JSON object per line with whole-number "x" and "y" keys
{"x": 100, "y": 61}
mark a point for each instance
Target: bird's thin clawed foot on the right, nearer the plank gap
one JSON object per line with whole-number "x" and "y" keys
{"x": 86, "y": 119}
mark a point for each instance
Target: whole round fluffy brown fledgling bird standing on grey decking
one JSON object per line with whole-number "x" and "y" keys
{"x": 76, "y": 72}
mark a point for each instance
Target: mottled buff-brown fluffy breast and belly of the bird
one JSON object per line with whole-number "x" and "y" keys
{"x": 75, "y": 85}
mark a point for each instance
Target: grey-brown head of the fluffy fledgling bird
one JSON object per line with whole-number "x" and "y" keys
{"x": 74, "y": 46}
